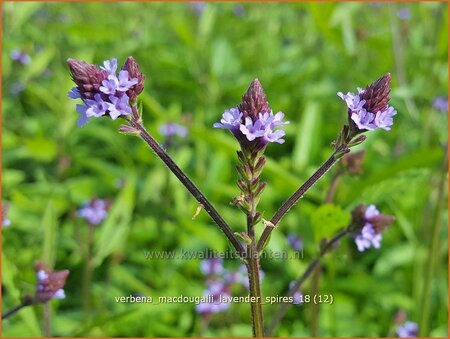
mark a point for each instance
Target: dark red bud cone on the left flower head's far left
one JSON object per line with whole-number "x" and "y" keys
{"x": 87, "y": 77}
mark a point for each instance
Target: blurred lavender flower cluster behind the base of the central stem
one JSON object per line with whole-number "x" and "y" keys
{"x": 219, "y": 283}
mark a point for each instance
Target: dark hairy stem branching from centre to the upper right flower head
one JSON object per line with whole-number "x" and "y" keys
{"x": 287, "y": 205}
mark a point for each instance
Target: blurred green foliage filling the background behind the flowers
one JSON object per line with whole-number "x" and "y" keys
{"x": 198, "y": 60}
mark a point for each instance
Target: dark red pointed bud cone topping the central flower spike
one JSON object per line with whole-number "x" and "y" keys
{"x": 254, "y": 101}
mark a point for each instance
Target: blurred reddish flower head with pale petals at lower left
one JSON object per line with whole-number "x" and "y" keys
{"x": 50, "y": 283}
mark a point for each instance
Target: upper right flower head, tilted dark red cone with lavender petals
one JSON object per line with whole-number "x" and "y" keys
{"x": 369, "y": 110}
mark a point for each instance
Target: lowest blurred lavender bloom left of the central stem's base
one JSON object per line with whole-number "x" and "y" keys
{"x": 216, "y": 290}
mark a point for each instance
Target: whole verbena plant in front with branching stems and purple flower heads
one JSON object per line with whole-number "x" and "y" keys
{"x": 107, "y": 92}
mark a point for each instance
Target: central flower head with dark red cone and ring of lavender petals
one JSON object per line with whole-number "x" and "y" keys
{"x": 253, "y": 122}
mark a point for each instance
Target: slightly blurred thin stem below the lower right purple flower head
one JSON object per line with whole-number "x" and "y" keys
{"x": 310, "y": 269}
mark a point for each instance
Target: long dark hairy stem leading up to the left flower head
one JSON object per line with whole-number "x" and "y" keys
{"x": 209, "y": 208}
